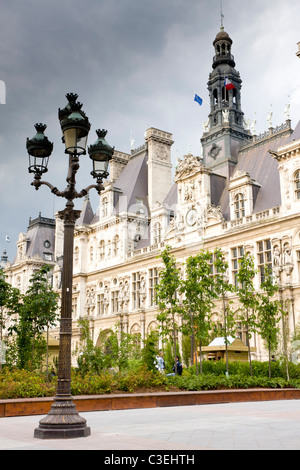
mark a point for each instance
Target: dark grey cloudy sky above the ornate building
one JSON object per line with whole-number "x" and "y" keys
{"x": 134, "y": 64}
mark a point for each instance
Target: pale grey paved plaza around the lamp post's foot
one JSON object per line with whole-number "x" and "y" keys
{"x": 233, "y": 426}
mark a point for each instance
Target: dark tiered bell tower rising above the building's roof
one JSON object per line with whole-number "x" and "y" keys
{"x": 224, "y": 130}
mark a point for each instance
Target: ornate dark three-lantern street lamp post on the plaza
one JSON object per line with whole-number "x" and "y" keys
{"x": 63, "y": 421}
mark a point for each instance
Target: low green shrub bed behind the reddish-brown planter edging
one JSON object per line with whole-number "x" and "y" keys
{"x": 24, "y": 384}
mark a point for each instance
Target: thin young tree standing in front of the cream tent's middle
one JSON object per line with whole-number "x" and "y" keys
{"x": 223, "y": 288}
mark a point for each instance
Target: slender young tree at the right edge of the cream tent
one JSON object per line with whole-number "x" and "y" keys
{"x": 247, "y": 298}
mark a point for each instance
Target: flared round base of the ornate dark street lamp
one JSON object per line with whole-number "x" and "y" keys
{"x": 62, "y": 422}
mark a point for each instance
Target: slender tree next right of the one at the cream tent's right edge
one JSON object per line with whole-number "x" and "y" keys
{"x": 268, "y": 314}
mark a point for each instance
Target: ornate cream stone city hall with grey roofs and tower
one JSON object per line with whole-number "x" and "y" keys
{"x": 242, "y": 194}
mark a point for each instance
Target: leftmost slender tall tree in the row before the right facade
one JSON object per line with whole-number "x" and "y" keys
{"x": 167, "y": 297}
